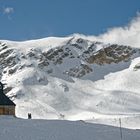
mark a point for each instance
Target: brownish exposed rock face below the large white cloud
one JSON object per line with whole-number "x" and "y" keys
{"x": 111, "y": 54}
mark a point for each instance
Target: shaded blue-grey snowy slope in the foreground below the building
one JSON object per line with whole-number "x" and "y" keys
{"x": 19, "y": 129}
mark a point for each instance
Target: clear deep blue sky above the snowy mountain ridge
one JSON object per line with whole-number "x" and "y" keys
{"x": 31, "y": 19}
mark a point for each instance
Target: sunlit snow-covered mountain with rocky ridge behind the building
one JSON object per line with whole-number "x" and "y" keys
{"x": 72, "y": 78}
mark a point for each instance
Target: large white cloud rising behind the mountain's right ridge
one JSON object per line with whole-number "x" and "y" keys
{"x": 127, "y": 35}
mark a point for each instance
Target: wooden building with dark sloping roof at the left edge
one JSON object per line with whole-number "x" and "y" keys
{"x": 7, "y": 107}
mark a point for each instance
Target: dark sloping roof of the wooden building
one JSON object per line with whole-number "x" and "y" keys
{"x": 4, "y": 100}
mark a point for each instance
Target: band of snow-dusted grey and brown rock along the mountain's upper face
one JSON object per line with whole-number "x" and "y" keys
{"x": 13, "y": 60}
